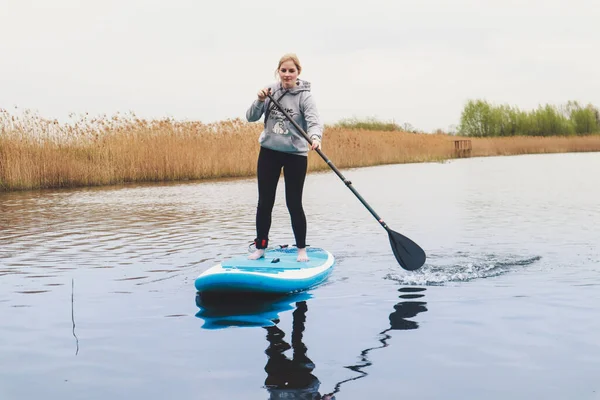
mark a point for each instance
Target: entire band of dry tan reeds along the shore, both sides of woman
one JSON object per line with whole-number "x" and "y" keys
{"x": 36, "y": 153}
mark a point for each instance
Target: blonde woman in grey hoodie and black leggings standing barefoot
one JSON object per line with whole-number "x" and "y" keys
{"x": 281, "y": 146}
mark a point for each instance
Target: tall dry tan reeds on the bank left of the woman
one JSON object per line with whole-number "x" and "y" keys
{"x": 39, "y": 153}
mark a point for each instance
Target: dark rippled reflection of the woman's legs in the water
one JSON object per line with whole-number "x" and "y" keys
{"x": 291, "y": 379}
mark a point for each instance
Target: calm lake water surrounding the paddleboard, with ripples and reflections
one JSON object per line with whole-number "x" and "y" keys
{"x": 97, "y": 298}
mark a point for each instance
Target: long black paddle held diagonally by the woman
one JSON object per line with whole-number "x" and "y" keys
{"x": 410, "y": 255}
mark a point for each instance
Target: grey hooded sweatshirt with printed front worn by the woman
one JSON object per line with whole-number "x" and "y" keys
{"x": 279, "y": 134}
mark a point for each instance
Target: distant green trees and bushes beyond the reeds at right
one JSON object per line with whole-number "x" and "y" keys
{"x": 482, "y": 119}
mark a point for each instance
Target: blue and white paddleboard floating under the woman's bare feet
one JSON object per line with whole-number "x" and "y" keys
{"x": 277, "y": 272}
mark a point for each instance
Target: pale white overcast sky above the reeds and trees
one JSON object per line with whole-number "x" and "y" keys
{"x": 414, "y": 61}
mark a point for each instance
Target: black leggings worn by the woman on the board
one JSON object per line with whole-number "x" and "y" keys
{"x": 270, "y": 163}
